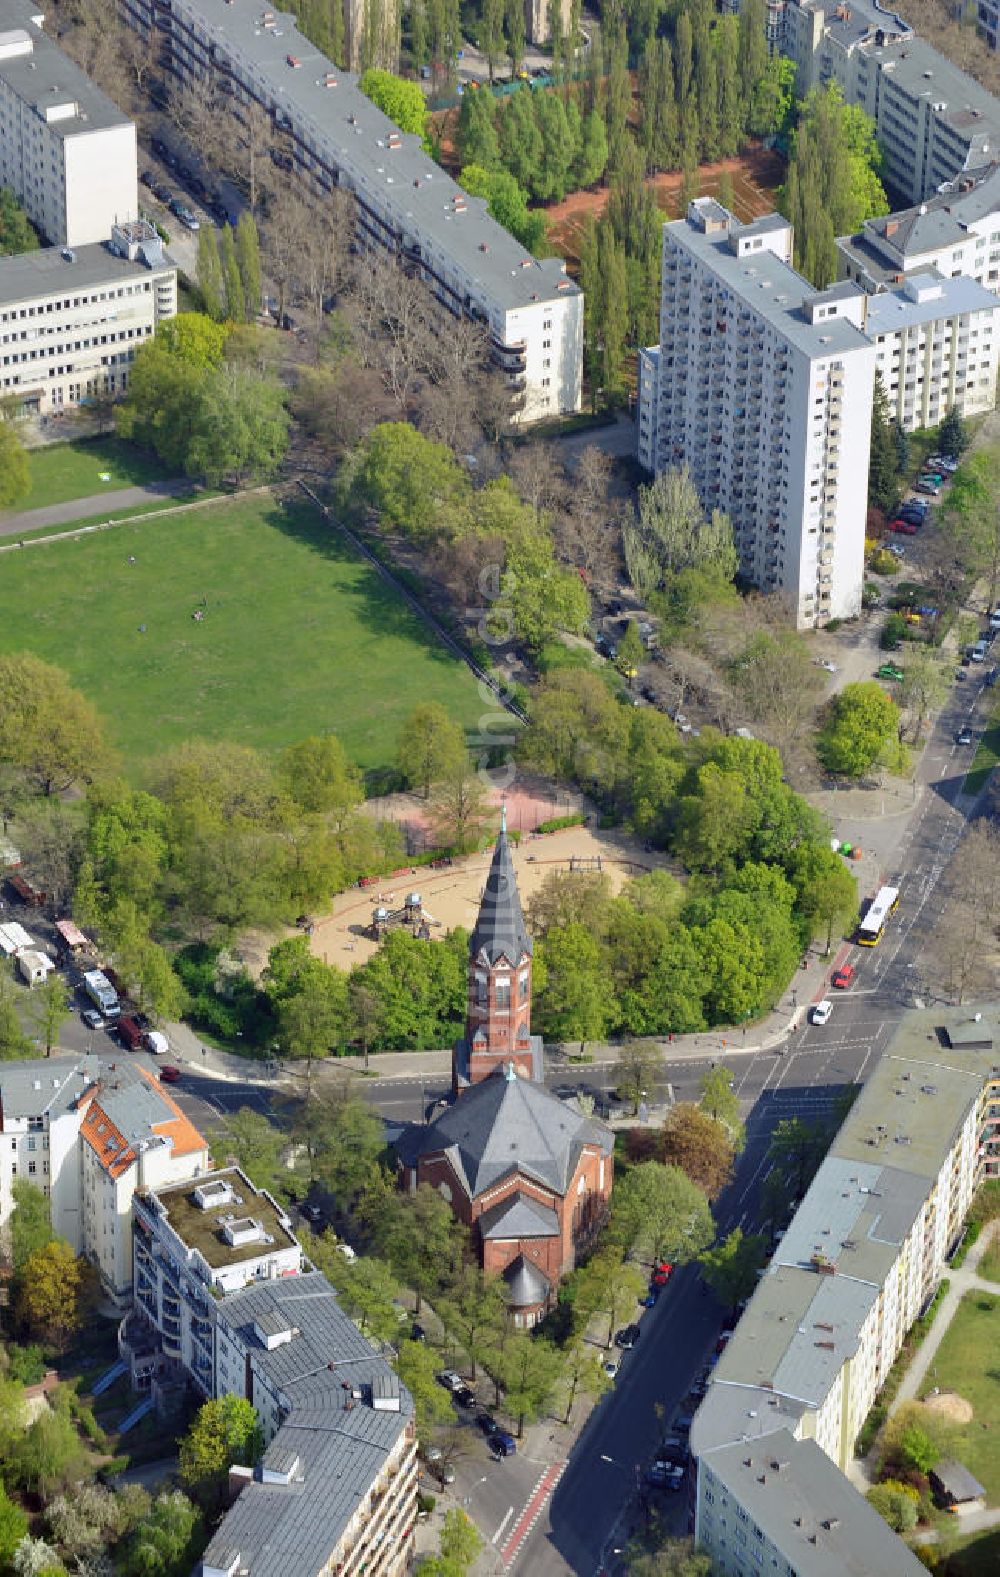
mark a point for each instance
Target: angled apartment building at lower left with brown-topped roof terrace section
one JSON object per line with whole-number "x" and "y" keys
{"x": 223, "y": 1297}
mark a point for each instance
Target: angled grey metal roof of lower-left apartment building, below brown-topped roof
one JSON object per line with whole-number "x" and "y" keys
{"x": 335, "y": 1444}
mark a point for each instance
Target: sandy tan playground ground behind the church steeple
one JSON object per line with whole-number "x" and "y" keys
{"x": 452, "y": 897}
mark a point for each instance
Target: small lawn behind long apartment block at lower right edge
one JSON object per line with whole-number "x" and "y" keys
{"x": 969, "y": 1362}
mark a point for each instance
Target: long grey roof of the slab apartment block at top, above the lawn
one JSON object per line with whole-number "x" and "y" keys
{"x": 354, "y": 135}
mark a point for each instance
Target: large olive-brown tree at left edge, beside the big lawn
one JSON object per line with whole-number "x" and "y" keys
{"x": 48, "y": 731}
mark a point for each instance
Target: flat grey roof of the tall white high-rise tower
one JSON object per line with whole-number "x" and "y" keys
{"x": 771, "y": 288}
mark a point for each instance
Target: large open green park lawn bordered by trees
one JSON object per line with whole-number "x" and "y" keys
{"x": 299, "y": 635}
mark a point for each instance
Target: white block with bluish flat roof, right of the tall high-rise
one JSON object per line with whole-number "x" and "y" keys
{"x": 938, "y": 343}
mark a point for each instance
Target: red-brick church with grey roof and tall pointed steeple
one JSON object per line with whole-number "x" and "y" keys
{"x": 529, "y": 1174}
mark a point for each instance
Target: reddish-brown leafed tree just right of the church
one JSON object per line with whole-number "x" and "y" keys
{"x": 662, "y": 1214}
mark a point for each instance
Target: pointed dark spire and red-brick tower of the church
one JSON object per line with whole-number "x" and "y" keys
{"x": 499, "y": 1016}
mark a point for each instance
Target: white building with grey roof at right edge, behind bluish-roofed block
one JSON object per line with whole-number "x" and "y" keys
{"x": 957, "y": 233}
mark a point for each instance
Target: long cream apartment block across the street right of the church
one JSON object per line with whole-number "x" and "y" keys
{"x": 859, "y": 1264}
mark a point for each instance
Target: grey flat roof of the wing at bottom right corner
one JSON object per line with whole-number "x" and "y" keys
{"x": 810, "y": 1512}
